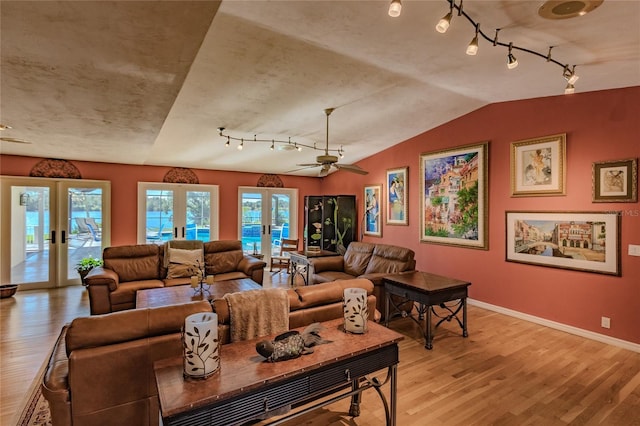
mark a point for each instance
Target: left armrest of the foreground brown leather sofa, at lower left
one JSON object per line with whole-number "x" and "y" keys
{"x": 55, "y": 384}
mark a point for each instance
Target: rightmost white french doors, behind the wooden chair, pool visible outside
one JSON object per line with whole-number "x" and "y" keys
{"x": 266, "y": 216}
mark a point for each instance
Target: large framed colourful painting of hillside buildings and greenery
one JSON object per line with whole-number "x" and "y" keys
{"x": 454, "y": 205}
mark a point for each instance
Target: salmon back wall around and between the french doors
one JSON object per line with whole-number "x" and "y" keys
{"x": 124, "y": 191}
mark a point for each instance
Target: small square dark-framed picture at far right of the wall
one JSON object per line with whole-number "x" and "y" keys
{"x": 615, "y": 181}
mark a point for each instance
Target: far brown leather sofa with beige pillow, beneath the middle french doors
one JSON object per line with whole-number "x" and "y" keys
{"x": 128, "y": 269}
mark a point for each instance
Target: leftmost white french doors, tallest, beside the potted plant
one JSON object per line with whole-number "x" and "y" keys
{"x": 48, "y": 225}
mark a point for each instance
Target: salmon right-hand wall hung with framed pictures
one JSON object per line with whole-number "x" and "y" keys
{"x": 600, "y": 126}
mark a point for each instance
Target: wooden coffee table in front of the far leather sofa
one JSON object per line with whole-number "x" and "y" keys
{"x": 175, "y": 295}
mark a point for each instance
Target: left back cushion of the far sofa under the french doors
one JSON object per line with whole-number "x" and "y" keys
{"x": 133, "y": 262}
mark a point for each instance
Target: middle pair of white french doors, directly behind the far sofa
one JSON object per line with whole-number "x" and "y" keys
{"x": 168, "y": 211}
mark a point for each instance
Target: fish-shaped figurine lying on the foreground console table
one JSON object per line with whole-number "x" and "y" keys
{"x": 291, "y": 344}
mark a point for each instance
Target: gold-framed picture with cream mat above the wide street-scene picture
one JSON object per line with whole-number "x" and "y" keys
{"x": 538, "y": 166}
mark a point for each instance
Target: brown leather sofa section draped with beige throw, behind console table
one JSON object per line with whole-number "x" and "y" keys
{"x": 308, "y": 304}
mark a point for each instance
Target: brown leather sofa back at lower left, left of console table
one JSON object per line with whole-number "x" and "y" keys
{"x": 101, "y": 368}
